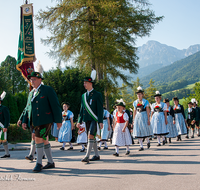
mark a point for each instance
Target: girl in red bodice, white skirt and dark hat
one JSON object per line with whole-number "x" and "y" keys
{"x": 121, "y": 135}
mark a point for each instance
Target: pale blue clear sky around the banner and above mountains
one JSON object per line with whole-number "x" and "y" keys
{"x": 180, "y": 27}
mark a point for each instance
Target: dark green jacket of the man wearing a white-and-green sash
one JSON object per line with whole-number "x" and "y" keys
{"x": 95, "y": 101}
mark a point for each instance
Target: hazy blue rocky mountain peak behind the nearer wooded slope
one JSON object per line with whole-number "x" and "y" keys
{"x": 154, "y": 55}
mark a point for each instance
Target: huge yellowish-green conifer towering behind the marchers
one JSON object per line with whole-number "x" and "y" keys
{"x": 98, "y": 34}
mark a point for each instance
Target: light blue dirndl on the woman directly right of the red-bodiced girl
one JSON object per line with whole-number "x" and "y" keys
{"x": 141, "y": 128}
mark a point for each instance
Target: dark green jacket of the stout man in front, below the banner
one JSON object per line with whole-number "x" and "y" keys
{"x": 43, "y": 109}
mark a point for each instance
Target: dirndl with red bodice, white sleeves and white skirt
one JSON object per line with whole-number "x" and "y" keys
{"x": 121, "y": 138}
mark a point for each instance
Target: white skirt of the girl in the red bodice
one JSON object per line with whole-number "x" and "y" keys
{"x": 121, "y": 138}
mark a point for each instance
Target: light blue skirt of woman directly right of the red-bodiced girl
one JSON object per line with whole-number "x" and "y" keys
{"x": 141, "y": 128}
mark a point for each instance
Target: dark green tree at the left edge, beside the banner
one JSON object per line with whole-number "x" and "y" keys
{"x": 12, "y": 76}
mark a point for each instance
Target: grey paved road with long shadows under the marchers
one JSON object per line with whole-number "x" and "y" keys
{"x": 169, "y": 167}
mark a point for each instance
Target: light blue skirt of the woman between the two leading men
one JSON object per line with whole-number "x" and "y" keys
{"x": 65, "y": 134}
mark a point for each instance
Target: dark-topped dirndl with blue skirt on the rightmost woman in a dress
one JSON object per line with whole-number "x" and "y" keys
{"x": 180, "y": 121}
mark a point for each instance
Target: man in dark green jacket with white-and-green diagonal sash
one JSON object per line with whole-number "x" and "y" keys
{"x": 91, "y": 113}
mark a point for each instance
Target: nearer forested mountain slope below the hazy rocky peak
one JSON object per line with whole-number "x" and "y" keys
{"x": 187, "y": 69}
